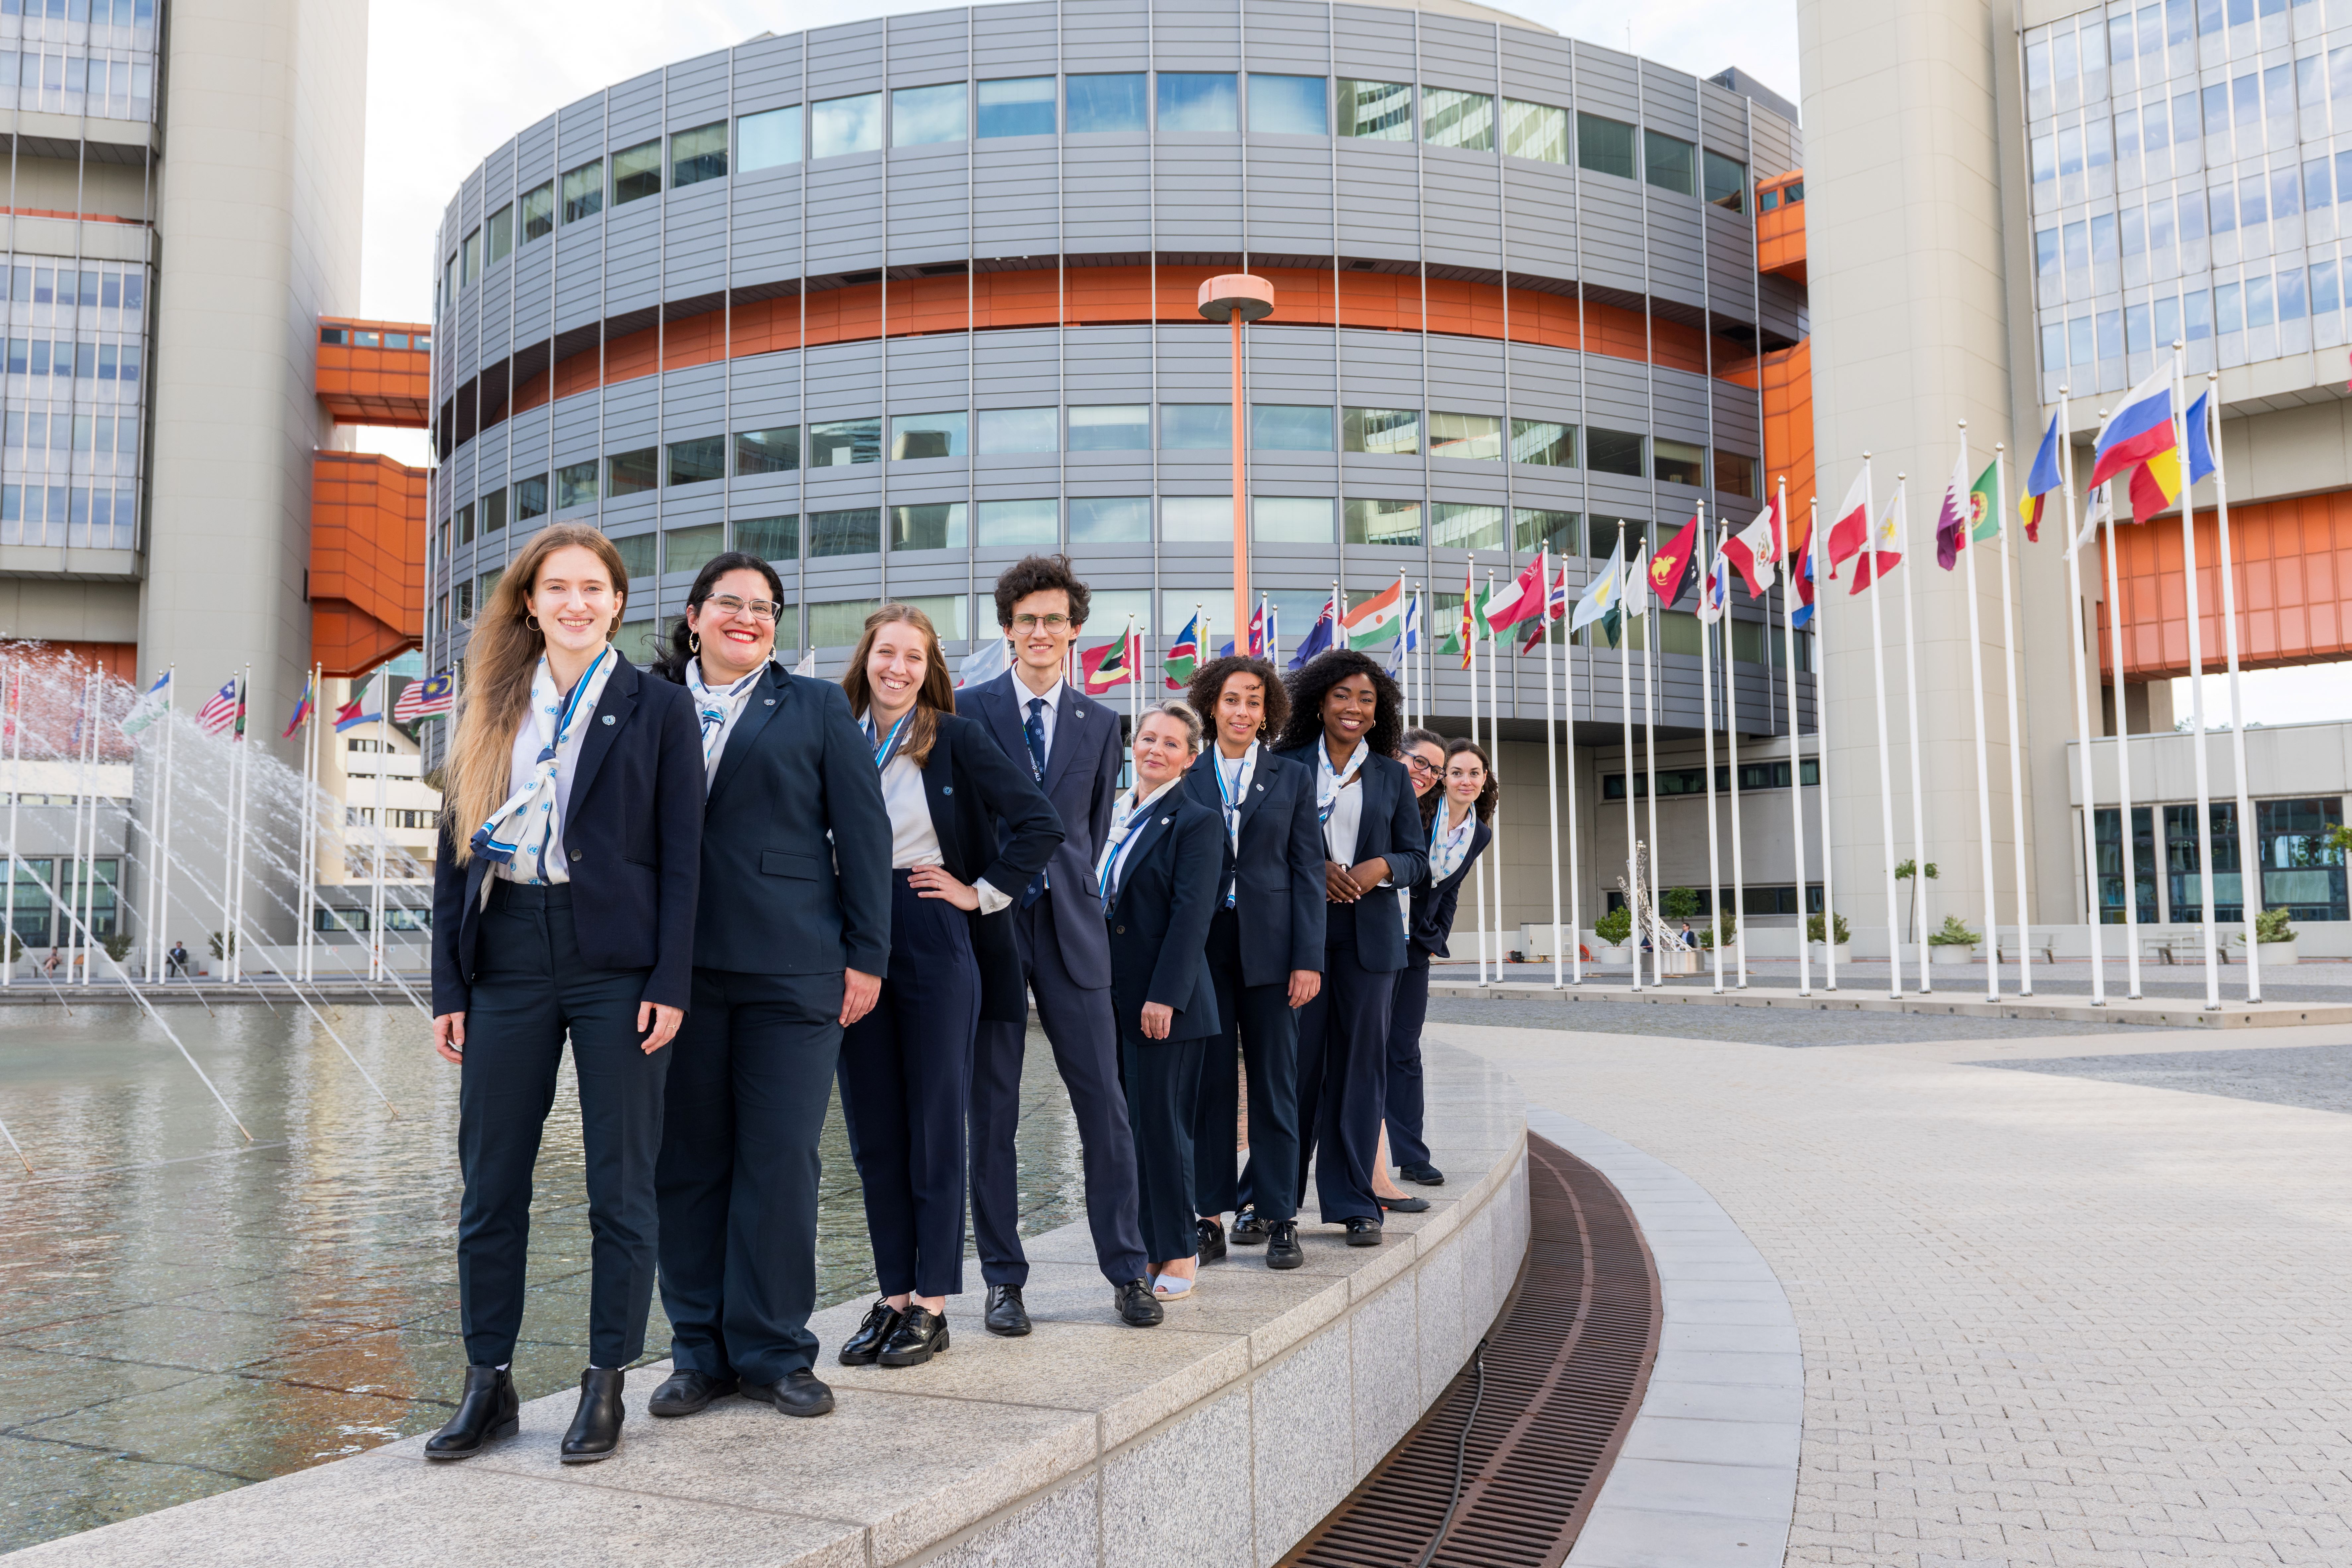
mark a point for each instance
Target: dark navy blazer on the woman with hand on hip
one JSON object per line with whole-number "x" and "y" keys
{"x": 973, "y": 786}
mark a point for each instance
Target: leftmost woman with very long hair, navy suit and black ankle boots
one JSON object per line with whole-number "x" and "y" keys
{"x": 563, "y": 906}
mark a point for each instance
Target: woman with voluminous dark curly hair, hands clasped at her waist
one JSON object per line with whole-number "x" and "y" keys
{"x": 1344, "y": 725}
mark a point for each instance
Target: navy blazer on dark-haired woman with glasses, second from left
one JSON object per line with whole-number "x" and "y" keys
{"x": 796, "y": 840}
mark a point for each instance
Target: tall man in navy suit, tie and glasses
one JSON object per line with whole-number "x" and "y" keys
{"x": 1076, "y": 756}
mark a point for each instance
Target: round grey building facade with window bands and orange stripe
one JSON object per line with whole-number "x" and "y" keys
{"x": 904, "y": 300}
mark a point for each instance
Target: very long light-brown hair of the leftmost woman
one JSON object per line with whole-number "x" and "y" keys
{"x": 500, "y": 666}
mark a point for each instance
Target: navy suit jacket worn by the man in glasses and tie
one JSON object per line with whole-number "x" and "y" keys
{"x": 1083, "y": 782}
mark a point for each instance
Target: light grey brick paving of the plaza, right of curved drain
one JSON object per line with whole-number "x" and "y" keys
{"x": 2047, "y": 1320}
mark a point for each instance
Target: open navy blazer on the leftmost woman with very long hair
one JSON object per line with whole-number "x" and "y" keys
{"x": 634, "y": 838}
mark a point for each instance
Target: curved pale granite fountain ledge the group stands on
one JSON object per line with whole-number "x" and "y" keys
{"x": 1229, "y": 1430}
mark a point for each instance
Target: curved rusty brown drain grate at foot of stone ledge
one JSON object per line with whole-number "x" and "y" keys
{"x": 1568, "y": 1362}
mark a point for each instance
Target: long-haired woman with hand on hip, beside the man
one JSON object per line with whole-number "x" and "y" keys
{"x": 907, "y": 1066}
